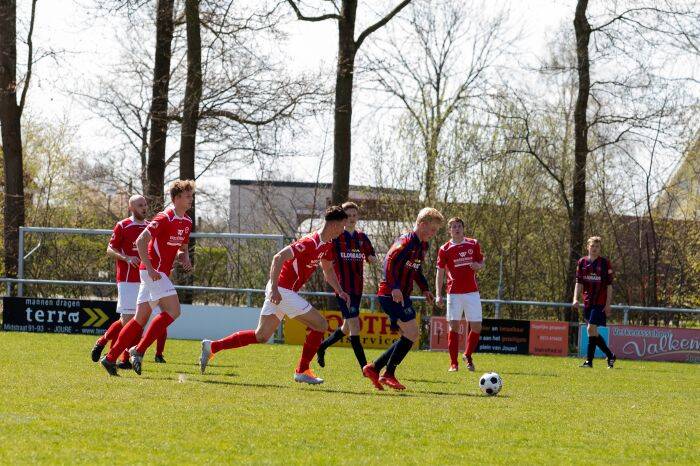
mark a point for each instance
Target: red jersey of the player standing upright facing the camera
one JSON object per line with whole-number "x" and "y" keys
{"x": 456, "y": 259}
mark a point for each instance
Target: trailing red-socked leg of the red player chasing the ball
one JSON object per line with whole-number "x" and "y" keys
{"x": 270, "y": 318}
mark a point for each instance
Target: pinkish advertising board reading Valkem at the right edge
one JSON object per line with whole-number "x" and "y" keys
{"x": 655, "y": 343}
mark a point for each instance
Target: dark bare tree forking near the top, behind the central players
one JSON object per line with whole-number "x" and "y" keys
{"x": 345, "y": 14}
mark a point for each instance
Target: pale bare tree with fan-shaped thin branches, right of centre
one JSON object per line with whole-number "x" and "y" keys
{"x": 434, "y": 63}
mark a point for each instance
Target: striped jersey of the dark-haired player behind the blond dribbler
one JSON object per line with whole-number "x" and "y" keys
{"x": 351, "y": 250}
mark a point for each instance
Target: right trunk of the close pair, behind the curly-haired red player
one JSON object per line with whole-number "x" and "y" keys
{"x": 190, "y": 118}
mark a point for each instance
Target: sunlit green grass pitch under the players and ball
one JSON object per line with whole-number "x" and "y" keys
{"x": 57, "y": 406}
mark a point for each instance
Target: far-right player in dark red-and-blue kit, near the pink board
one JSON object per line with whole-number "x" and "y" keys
{"x": 595, "y": 275}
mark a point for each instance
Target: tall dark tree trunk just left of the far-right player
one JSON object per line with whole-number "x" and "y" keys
{"x": 578, "y": 212}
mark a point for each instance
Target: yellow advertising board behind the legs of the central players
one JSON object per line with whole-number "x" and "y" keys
{"x": 374, "y": 329}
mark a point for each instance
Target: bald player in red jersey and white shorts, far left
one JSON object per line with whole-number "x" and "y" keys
{"x": 122, "y": 248}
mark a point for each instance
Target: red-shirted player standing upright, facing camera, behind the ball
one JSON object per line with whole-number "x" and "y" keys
{"x": 461, "y": 257}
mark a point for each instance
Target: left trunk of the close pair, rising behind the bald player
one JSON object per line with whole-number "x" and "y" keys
{"x": 159, "y": 106}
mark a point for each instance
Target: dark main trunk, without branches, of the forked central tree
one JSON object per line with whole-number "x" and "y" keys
{"x": 343, "y": 103}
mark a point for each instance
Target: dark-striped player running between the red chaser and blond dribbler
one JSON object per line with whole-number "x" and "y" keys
{"x": 351, "y": 249}
